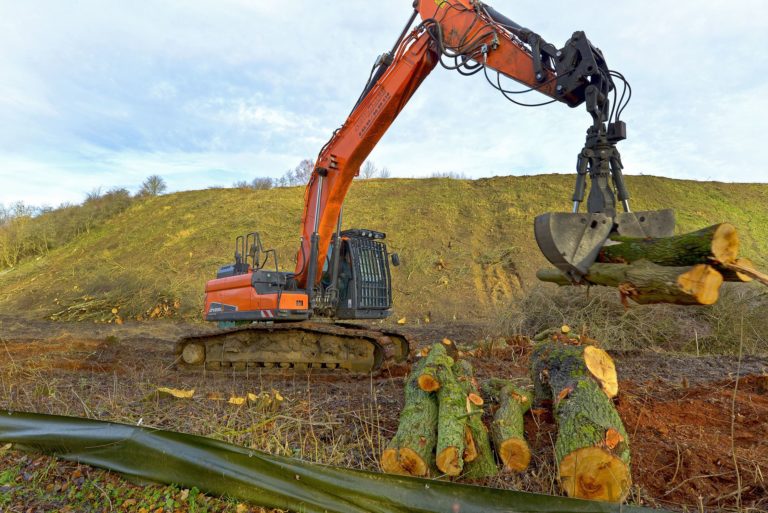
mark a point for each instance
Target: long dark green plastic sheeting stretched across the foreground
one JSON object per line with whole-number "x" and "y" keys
{"x": 263, "y": 479}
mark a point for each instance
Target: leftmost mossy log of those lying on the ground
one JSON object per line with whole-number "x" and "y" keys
{"x": 411, "y": 451}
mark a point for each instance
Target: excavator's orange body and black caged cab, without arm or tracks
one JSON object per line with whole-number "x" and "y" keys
{"x": 356, "y": 283}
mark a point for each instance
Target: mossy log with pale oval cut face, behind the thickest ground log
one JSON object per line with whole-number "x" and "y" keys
{"x": 555, "y": 365}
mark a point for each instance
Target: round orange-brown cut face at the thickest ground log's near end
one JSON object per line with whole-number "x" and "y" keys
{"x": 594, "y": 473}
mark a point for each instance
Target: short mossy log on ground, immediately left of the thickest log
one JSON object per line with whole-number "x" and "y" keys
{"x": 507, "y": 428}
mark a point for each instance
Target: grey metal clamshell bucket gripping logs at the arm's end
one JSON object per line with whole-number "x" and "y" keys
{"x": 572, "y": 241}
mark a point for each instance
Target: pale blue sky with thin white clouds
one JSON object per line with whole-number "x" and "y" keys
{"x": 103, "y": 93}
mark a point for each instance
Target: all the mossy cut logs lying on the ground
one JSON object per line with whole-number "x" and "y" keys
{"x": 444, "y": 430}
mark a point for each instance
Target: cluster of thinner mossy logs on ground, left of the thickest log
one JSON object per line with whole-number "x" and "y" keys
{"x": 441, "y": 429}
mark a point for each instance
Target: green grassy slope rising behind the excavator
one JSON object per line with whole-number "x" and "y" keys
{"x": 466, "y": 246}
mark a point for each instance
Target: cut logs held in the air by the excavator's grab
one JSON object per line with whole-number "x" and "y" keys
{"x": 685, "y": 269}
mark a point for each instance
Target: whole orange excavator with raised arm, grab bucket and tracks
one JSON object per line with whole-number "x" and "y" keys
{"x": 341, "y": 275}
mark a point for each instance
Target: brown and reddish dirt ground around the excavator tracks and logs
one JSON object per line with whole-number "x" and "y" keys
{"x": 698, "y": 426}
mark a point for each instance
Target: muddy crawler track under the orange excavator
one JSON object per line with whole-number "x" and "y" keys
{"x": 299, "y": 345}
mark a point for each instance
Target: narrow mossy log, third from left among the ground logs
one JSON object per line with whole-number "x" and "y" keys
{"x": 484, "y": 463}
